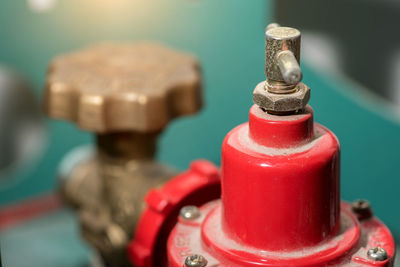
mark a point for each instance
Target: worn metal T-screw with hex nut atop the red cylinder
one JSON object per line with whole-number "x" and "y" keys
{"x": 282, "y": 92}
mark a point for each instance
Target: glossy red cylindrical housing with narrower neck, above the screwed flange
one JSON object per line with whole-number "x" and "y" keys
{"x": 280, "y": 182}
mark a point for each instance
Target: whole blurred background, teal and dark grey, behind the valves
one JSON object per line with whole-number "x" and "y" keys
{"x": 351, "y": 61}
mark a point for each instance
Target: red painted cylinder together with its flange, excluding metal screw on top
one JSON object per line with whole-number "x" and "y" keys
{"x": 280, "y": 203}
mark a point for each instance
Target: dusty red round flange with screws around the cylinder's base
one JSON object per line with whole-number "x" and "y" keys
{"x": 348, "y": 248}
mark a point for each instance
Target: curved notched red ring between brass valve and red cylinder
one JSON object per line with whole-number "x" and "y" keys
{"x": 199, "y": 185}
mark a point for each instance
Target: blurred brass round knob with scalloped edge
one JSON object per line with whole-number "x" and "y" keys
{"x": 115, "y": 87}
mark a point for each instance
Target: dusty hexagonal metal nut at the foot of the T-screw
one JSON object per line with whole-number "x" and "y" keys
{"x": 281, "y": 102}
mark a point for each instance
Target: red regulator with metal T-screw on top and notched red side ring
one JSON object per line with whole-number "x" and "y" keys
{"x": 280, "y": 190}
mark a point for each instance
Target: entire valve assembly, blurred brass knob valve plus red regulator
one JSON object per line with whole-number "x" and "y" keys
{"x": 275, "y": 201}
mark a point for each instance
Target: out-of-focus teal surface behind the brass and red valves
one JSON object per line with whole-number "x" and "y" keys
{"x": 228, "y": 38}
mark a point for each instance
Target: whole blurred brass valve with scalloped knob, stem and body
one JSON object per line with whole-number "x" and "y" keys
{"x": 126, "y": 94}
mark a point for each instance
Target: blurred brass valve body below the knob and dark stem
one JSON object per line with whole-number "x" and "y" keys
{"x": 108, "y": 194}
